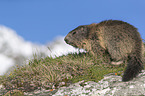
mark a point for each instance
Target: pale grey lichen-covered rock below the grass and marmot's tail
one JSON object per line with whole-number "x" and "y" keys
{"x": 111, "y": 85}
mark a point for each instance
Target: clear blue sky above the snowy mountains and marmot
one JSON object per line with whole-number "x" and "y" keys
{"x": 40, "y": 21}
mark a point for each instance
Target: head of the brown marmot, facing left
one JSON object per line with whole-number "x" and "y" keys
{"x": 77, "y": 37}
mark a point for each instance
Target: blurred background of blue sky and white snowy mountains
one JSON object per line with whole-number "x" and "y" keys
{"x": 39, "y": 26}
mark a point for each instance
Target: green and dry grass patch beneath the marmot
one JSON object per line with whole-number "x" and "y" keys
{"x": 49, "y": 72}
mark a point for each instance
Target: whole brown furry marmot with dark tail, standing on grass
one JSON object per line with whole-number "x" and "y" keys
{"x": 119, "y": 39}
